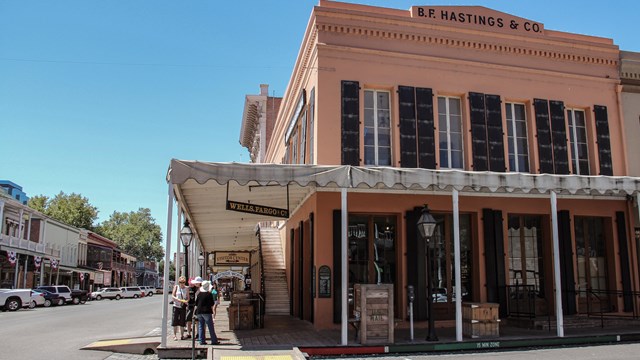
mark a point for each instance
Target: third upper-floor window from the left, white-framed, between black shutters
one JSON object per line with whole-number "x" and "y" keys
{"x": 517, "y": 134}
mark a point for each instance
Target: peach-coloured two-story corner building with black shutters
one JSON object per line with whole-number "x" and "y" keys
{"x": 513, "y": 134}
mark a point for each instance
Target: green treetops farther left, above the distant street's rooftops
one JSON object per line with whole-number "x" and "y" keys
{"x": 72, "y": 209}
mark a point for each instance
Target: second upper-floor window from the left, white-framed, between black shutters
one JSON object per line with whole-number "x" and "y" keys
{"x": 450, "y": 132}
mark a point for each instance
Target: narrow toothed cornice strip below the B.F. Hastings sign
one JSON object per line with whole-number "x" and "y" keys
{"x": 474, "y": 45}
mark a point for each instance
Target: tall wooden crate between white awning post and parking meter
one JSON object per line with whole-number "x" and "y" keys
{"x": 374, "y": 303}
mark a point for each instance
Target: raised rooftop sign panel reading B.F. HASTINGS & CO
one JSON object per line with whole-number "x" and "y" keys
{"x": 476, "y": 16}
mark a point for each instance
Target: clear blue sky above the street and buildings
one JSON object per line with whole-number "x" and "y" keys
{"x": 96, "y": 96}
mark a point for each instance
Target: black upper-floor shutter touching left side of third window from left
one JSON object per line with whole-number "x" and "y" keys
{"x": 495, "y": 135}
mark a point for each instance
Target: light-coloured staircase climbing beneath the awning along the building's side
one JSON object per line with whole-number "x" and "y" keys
{"x": 275, "y": 278}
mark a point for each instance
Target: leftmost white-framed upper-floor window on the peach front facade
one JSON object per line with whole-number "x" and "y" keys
{"x": 377, "y": 128}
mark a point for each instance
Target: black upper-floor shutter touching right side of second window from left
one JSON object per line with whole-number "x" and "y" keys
{"x": 478, "y": 132}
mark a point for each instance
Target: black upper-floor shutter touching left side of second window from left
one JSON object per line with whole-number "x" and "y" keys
{"x": 426, "y": 138}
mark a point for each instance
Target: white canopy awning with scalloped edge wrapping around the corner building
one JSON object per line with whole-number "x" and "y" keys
{"x": 202, "y": 189}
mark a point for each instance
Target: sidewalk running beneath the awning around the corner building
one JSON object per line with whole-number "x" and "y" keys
{"x": 285, "y": 335}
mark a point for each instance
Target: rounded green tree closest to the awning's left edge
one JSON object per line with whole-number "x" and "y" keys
{"x": 136, "y": 233}
